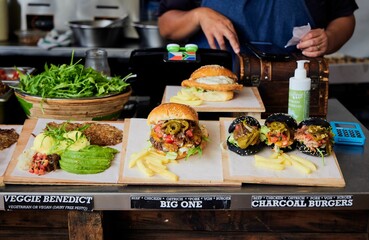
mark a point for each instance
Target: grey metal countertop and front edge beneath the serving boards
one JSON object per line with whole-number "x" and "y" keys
{"x": 354, "y": 163}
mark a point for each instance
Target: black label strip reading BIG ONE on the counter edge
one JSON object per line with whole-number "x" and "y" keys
{"x": 158, "y": 202}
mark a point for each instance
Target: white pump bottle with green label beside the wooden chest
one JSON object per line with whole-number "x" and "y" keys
{"x": 299, "y": 93}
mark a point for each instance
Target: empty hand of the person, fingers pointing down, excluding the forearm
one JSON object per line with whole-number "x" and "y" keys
{"x": 217, "y": 28}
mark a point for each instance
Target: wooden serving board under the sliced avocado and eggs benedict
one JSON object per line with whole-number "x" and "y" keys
{"x": 32, "y": 127}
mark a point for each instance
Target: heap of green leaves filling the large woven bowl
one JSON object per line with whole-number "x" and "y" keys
{"x": 71, "y": 81}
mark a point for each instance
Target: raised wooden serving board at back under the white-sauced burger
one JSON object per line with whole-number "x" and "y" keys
{"x": 247, "y": 100}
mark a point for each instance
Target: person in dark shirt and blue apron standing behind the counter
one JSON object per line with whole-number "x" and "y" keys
{"x": 228, "y": 24}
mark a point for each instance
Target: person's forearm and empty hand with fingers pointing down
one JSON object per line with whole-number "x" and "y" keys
{"x": 179, "y": 25}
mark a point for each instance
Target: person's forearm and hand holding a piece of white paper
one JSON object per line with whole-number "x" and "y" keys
{"x": 319, "y": 42}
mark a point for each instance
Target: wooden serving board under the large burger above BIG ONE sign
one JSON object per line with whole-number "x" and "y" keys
{"x": 204, "y": 170}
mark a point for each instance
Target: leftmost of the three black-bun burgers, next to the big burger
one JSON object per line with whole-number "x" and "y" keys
{"x": 244, "y": 138}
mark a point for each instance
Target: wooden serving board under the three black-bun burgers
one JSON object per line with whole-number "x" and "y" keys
{"x": 243, "y": 169}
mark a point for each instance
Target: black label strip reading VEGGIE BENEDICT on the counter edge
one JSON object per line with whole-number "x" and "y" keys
{"x": 48, "y": 202}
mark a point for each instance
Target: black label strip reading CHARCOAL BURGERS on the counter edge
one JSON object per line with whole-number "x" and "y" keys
{"x": 301, "y": 201}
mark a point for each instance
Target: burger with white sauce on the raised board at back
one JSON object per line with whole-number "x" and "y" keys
{"x": 213, "y": 83}
